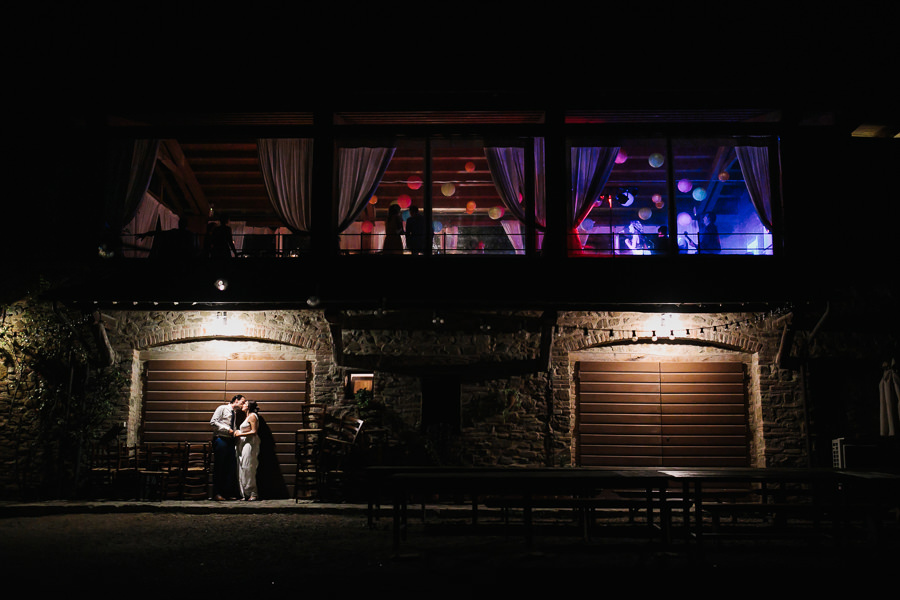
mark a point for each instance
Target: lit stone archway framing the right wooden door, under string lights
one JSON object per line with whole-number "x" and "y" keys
{"x": 776, "y": 415}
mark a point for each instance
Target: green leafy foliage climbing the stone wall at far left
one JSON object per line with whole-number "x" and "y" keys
{"x": 58, "y": 394}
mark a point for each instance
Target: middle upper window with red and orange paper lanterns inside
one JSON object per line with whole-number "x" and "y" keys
{"x": 441, "y": 196}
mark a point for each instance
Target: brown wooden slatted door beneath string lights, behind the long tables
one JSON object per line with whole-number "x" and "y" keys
{"x": 679, "y": 414}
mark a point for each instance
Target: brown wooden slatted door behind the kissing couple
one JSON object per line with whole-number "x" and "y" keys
{"x": 180, "y": 396}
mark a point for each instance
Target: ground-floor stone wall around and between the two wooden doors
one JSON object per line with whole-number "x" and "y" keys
{"x": 523, "y": 418}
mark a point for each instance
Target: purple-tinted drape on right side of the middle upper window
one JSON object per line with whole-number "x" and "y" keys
{"x": 507, "y": 166}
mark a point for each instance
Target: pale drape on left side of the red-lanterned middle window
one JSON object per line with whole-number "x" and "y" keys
{"x": 359, "y": 173}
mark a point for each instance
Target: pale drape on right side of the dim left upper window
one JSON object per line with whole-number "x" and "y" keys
{"x": 286, "y": 165}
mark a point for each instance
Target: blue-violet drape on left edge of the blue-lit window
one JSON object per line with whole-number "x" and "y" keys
{"x": 591, "y": 167}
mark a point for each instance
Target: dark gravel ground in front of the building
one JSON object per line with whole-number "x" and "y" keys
{"x": 338, "y": 555}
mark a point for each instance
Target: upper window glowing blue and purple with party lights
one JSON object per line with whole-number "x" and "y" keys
{"x": 646, "y": 196}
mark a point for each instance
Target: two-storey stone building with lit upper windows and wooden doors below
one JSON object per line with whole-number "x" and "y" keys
{"x": 527, "y": 315}
